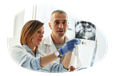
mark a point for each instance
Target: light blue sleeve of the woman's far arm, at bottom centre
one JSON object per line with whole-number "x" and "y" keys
{"x": 58, "y": 68}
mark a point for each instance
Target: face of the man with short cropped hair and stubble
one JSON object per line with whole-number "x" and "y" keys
{"x": 58, "y": 24}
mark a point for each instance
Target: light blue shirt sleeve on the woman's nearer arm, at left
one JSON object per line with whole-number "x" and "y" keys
{"x": 25, "y": 60}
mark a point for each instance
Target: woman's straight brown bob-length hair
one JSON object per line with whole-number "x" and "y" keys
{"x": 28, "y": 31}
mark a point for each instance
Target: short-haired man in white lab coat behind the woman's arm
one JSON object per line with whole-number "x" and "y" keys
{"x": 59, "y": 25}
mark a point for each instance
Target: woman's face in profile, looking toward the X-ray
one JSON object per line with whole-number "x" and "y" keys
{"x": 37, "y": 38}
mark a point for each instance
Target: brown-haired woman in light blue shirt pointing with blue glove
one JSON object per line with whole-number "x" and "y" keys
{"x": 29, "y": 58}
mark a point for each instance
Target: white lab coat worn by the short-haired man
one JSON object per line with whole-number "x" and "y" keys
{"x": 47, "y": 46}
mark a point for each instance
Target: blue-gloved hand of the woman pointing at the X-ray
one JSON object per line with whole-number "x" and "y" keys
{"x": 69, "y": 46}
